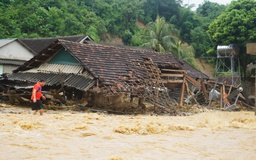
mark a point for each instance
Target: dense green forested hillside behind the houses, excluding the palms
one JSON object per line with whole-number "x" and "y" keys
{"x": 100, "y": 19}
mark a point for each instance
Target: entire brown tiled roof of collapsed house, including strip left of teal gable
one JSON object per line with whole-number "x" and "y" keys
{"x": 108, "y": 63}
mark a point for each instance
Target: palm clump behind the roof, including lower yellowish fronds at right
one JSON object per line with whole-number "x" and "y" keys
{"x": 163, "y": 37}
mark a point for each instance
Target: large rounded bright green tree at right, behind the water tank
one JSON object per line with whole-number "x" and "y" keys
{"x": 236, "y": 26}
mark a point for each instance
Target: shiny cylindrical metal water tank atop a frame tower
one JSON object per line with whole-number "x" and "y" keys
{"x": 227, "y": 50}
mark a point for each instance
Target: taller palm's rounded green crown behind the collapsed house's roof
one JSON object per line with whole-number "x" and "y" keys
{"x": 159, "y": 35}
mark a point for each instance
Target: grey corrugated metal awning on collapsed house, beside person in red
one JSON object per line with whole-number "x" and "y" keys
{"x": 81, "y": 82}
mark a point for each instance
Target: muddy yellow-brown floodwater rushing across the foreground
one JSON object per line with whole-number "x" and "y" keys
{"x": 74, "y": 135}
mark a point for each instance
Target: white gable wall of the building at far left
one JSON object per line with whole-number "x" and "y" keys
{"x": 15, "y": 51}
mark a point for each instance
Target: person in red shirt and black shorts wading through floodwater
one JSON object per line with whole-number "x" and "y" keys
{"x": 36, "y": 97}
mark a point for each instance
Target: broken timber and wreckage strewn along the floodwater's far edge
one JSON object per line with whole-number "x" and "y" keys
{"x": 156, "y": 92}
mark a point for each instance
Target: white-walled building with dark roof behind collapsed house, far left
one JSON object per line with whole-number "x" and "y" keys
{"x": 14, "y": 52}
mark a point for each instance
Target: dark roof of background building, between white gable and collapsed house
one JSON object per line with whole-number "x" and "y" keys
{"x": 38, "y": 44}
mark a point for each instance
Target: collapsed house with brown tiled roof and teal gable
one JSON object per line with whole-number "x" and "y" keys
{"x": 111, "y": 77}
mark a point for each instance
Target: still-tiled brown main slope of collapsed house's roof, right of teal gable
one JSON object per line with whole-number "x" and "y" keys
{"x": 108, "y": 63}
